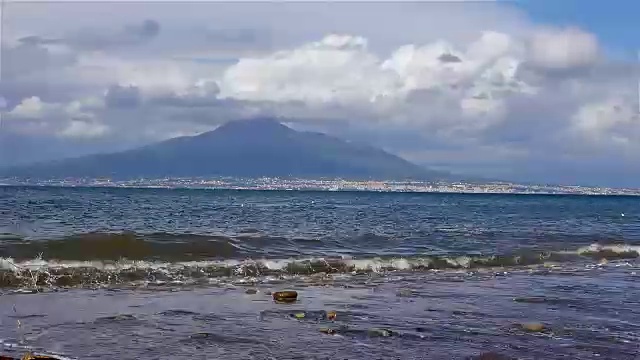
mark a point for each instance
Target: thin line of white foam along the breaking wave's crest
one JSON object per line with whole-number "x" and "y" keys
{"x": 256, "y": 267}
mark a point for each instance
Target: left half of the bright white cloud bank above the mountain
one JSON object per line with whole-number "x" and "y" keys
{"x": 337, "y": 68}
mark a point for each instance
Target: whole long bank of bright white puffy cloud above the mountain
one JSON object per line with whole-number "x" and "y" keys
{"x": 341, "y": 70}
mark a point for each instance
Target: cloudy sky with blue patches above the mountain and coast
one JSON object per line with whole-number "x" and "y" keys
{"x": 537, "y": 91}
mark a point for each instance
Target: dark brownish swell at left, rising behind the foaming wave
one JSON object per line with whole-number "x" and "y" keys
{"x": 154, "y": 246}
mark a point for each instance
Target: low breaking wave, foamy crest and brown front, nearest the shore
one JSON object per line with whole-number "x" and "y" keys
{"x": 64, "y": 273}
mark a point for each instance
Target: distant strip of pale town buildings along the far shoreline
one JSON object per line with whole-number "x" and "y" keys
{"x": 327, "y": 185}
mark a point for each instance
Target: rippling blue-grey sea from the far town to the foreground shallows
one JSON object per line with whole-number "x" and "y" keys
{"x": 121, "y": 273}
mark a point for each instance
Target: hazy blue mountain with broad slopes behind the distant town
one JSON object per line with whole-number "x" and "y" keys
{"x": 243, "y": 148}
